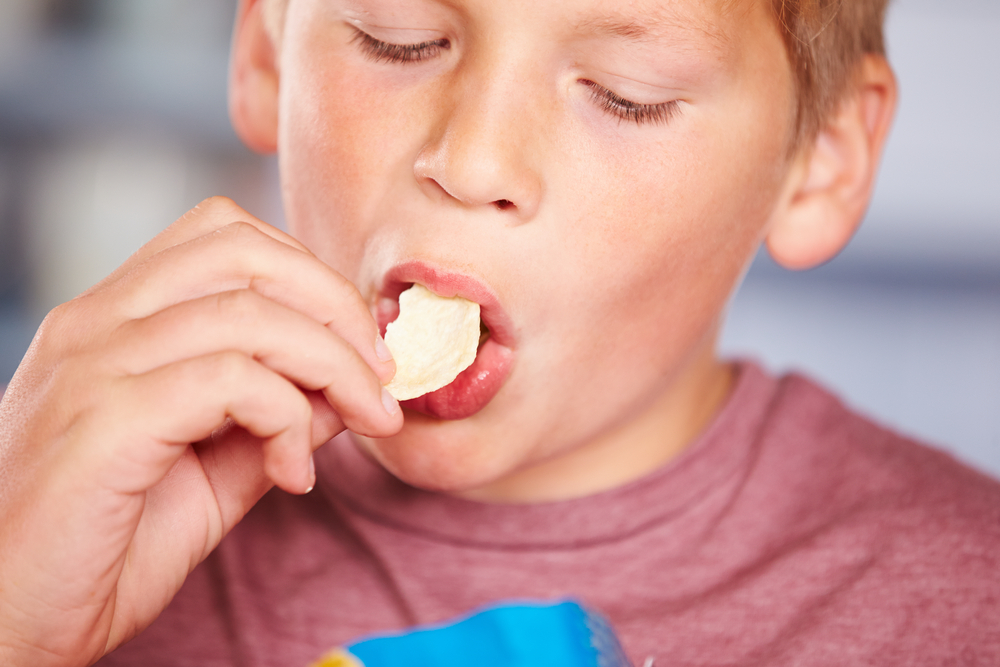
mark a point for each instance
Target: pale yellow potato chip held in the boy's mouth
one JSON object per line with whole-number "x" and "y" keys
{"x": 433, "y": 340}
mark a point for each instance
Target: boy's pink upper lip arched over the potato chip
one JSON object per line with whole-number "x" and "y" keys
{"x": 445, "y": 282}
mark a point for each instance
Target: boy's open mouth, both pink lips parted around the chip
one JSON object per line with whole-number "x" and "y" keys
{"x": 476, "y": 386}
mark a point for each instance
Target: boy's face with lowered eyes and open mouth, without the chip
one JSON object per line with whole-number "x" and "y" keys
{"x": 604, "y": 169}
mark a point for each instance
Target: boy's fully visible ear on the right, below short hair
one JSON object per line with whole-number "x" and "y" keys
{"x": 831, "y": 181}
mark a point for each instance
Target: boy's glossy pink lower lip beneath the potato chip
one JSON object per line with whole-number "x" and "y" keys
{"x": 472, "y": 389}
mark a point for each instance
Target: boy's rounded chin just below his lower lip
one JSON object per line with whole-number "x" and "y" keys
{"x": 444, "y": 456}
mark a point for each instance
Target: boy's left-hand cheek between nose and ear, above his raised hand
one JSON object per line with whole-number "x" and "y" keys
{"x": 348, "y": 143}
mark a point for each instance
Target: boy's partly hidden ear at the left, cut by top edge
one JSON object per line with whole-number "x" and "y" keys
{"x": 253, "y": 80}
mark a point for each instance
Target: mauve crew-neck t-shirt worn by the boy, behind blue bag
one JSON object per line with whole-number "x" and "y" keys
{"x": 792, "y": 532}
